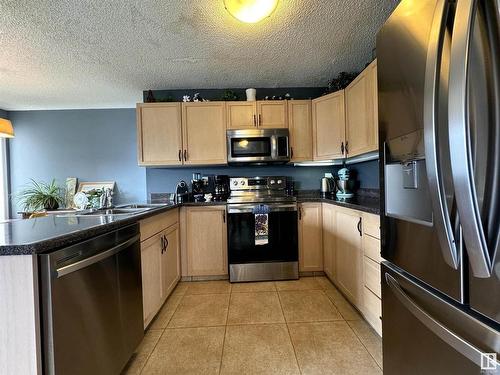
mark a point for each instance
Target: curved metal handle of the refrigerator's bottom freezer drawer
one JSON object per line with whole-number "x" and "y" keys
{"x": 460, "y": 345}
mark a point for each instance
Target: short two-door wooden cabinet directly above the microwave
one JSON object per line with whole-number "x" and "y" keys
{"x": 260, "y": 114}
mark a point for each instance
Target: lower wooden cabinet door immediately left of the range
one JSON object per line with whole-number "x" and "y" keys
{"x": 206, "y": 241}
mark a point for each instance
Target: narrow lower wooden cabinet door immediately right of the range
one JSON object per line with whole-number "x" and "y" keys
{"x": 310, "y": 237}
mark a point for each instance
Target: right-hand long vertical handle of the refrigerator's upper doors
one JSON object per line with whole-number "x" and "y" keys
{"x": 462, "y": 166}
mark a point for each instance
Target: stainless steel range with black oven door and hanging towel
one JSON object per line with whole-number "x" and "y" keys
{"x": 262, "y": 230}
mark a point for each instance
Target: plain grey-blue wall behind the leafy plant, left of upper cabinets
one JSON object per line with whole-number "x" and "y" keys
{"x": 93, "y": 145}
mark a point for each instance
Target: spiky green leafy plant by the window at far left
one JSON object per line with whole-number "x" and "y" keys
{"x": 40, "y": 195}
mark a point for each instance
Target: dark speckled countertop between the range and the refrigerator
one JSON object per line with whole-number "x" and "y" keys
{"x": 367, "y": 202}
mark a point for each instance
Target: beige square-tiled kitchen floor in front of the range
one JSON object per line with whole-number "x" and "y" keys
{"x": 286, "y": 327}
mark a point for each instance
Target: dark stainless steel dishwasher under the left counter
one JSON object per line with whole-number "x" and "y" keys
{"x": 92, "y": 304}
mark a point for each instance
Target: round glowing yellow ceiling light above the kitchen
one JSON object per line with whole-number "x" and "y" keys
{"x": 250, "y": 11}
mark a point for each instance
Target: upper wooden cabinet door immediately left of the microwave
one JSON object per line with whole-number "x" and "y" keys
{"x": 204, "y": 133}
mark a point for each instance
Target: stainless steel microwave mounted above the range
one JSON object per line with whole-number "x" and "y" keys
{"x": 258, "y": 146}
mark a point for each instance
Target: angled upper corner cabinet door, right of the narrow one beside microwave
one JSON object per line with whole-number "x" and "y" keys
{"x": 328, "y": 126}
